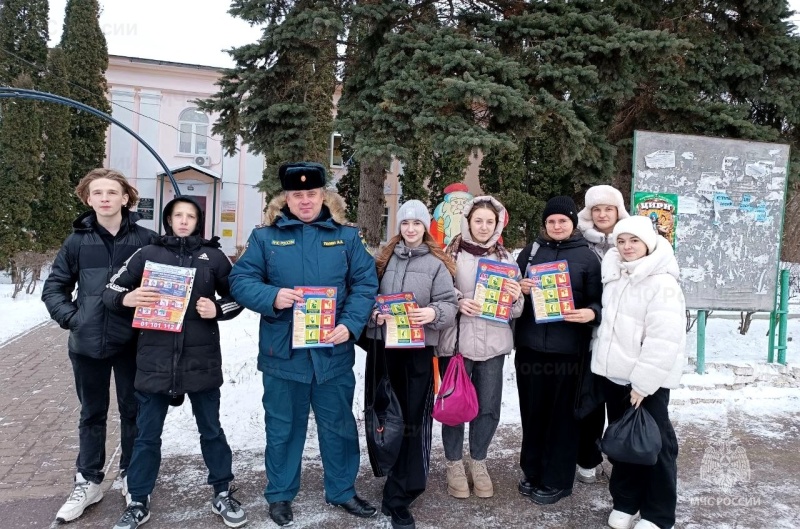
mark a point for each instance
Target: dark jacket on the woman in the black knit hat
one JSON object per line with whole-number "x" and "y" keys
{"x": 587, "y": 290}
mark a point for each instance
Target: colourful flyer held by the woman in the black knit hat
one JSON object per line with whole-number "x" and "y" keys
{"x": 552, "y": 291}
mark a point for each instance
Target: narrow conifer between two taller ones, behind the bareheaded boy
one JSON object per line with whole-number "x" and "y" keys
{"x": 55, "y": 210}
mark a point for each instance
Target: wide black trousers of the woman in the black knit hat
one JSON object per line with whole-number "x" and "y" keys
{"x": 547, "y": 384}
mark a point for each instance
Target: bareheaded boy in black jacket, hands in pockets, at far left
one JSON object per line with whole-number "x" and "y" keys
{"x": 99, "y": 340}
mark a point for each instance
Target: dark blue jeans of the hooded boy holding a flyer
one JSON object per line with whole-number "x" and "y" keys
{"x": 146, "y": 459}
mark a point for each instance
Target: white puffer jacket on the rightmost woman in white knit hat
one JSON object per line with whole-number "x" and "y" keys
{"x": 642, "y": 336}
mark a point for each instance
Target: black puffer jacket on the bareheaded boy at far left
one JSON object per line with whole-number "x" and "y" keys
{"x": 85, "y": 259}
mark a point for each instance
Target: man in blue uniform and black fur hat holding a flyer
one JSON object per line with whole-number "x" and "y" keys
{"x": 307, "y": 242}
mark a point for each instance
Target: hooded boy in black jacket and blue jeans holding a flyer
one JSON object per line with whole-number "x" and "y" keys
{"x": 171, "y": 364}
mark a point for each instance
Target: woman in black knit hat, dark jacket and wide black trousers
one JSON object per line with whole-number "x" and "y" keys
{"x": 549, "y": 357}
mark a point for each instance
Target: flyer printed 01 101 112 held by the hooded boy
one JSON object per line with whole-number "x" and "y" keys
{"x": 174, "y": 284}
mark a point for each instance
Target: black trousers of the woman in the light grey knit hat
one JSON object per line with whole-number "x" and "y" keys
{"x": 411, "y": 375}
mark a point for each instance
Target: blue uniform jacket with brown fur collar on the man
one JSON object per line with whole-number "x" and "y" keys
{"x": 286, "y": 253}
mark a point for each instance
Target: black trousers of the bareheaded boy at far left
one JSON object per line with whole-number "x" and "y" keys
{"x": 92, "y": 381}
